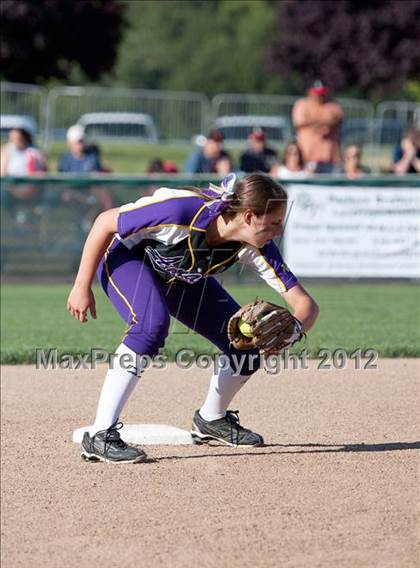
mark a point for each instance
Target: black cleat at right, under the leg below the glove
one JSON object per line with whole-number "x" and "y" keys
{"x": 226, "y": 430}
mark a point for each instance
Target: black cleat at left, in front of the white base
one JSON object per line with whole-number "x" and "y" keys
{"x": 107, "y": 446}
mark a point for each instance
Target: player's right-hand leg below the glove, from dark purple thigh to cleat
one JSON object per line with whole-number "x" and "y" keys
{"x": 206, "y": 308}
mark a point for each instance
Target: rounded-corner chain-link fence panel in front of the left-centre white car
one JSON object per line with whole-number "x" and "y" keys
{"x": 121, "y": 115}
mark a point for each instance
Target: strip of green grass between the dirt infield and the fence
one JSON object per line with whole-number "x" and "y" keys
{"x": 384, "y": 317}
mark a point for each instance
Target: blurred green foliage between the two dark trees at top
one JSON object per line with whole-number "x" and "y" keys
{"x": 204, "y": 46}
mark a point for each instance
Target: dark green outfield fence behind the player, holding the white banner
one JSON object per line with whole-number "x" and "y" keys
{"x": 45, "y": 220}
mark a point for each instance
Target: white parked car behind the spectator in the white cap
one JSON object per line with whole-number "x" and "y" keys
{"x": 119, "y": 127}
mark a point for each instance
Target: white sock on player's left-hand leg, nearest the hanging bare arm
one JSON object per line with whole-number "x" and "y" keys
{"x": 118, "y": 385}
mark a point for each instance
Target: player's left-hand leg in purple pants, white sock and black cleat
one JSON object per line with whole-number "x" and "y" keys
{"x": 139, "y": 299}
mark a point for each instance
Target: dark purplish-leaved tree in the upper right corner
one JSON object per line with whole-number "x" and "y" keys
{"x": 371, "y": 47}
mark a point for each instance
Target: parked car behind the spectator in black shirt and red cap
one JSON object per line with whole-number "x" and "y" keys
{"x": 236, "y": 129}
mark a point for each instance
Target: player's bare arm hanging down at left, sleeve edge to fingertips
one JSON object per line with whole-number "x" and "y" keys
{"x": 81, "y": 298}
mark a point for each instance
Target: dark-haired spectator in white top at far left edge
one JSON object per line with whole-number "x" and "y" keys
{"x": 19, "y": 157}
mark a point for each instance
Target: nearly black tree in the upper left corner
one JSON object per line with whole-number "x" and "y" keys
{"x": 46, "y": 38}
